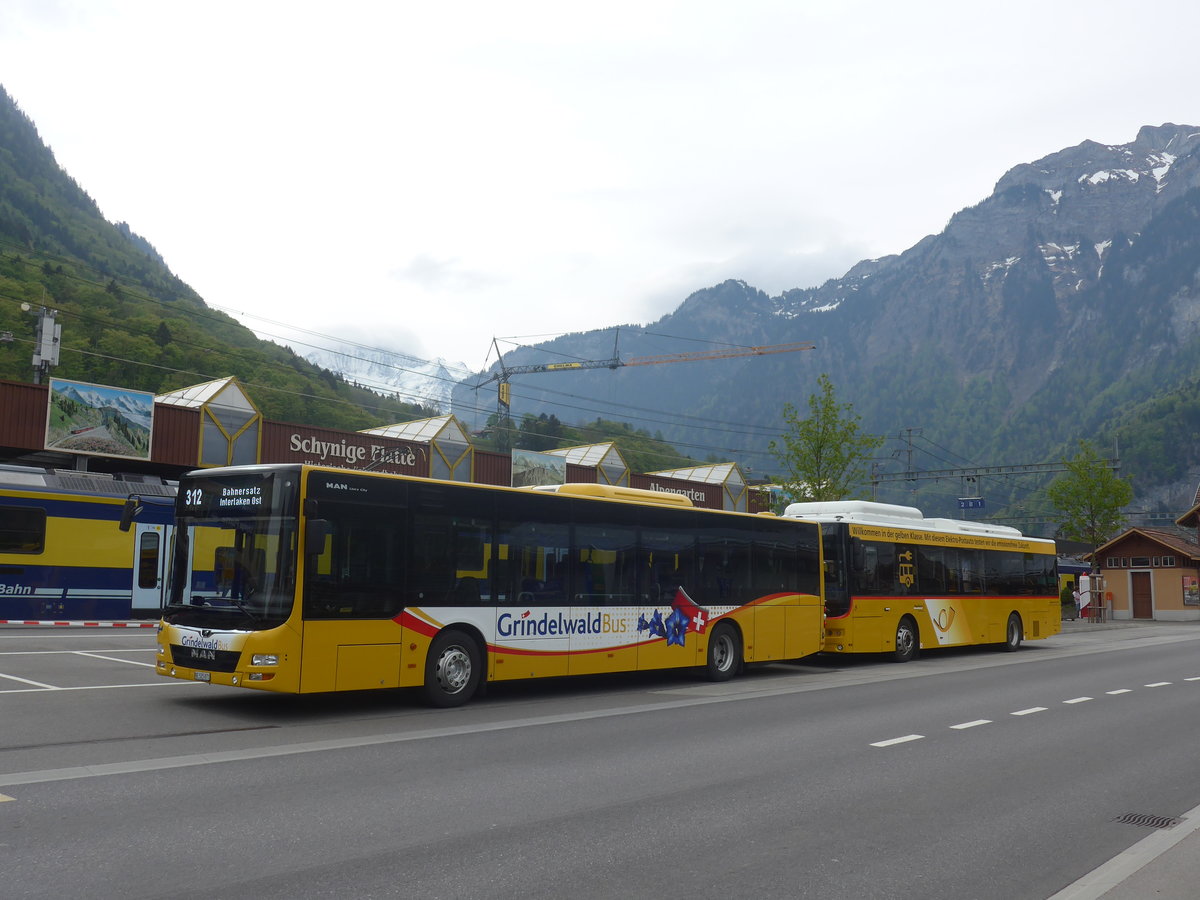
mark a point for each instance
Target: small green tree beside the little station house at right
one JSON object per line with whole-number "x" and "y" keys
{"x": 1089, "y": 499}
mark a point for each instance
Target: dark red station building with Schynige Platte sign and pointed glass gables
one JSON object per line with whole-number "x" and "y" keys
{"x": 219, "y": 424}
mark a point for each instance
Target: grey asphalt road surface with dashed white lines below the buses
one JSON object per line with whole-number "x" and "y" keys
{"x": 965, "y": 775}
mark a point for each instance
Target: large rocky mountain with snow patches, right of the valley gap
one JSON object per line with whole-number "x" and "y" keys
{"x": 1064, "y": 307}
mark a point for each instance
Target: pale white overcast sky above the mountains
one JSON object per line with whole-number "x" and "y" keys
{"x": 425, "y": 177}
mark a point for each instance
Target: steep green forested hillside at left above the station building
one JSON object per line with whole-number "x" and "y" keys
{"x": 127, "y": 320}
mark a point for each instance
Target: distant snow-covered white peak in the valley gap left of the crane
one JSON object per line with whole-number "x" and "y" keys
{"x": 412, "y": 380}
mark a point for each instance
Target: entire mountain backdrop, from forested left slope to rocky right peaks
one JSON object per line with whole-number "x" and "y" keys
{"x": 1064, "y": 307}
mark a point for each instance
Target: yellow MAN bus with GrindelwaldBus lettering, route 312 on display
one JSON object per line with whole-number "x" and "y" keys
{"x": 305, "y": 579}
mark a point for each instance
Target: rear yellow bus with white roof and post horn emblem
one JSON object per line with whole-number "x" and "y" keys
{"x": 897, "y": 583}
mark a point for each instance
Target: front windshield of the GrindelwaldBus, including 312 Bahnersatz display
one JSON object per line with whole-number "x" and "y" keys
{"x": 236, "y": 549}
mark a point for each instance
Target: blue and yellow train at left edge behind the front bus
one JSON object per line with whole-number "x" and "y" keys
{"x": 64, "y": 555}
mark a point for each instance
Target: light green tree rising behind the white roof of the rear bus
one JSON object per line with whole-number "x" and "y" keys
{"x": 825, "y": 457}
